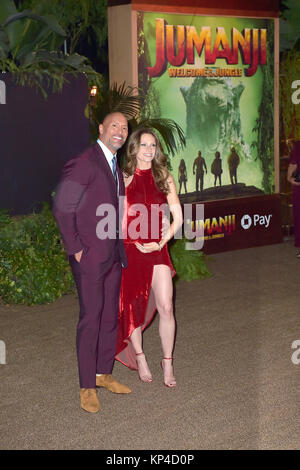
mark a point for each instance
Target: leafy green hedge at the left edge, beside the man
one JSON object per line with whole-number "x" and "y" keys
{"x": 33, "y": 264}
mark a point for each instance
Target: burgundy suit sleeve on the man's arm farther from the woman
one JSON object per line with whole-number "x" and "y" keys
{"x": 74, "y": 182}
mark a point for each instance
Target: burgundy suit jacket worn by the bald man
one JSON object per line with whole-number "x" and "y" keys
{"x": 87, "y": 183}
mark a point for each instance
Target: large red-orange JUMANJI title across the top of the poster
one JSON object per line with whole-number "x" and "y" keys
{"x": 176, "y": 45}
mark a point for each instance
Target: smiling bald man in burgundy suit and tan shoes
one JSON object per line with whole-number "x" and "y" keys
{"x": 91, "y": 183}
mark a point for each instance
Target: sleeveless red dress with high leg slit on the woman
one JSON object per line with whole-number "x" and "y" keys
{"x": 137, "y": 307}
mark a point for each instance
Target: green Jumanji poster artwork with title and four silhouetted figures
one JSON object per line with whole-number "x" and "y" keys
{"x": 214, "y": 77}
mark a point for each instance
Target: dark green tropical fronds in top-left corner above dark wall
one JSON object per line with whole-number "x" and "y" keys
{"x": 31, "y": 48}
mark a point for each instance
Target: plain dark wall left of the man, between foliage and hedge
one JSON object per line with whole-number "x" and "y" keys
{"x": 37, "y": 137}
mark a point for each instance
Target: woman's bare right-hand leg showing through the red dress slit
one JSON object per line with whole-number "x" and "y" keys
{"x": 163, "y": 291}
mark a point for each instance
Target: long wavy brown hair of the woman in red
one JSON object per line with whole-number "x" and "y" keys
{"x": 159, "y": 169}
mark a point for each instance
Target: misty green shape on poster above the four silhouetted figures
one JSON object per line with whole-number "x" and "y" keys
{"x": 213, "y": 119}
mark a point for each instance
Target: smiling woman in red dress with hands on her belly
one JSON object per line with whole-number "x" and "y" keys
{"x": 147, "y": 282}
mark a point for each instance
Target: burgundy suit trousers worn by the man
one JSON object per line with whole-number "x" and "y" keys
{"x": 98, "y": 286}
